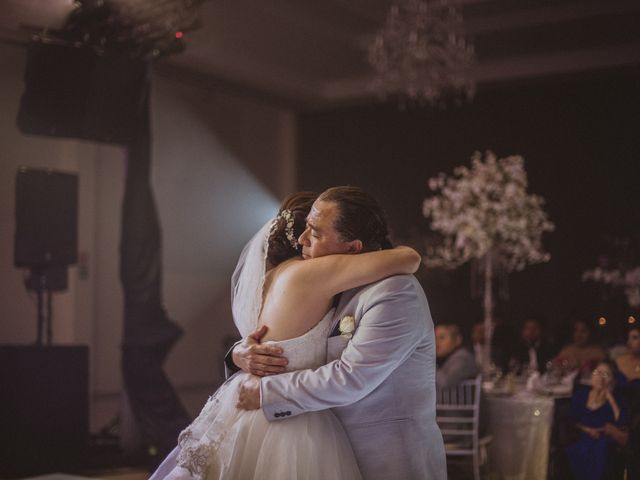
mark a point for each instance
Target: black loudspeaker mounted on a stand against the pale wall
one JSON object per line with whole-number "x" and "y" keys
{"x": 46, "y": 218}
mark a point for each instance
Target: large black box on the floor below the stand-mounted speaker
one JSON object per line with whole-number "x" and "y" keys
{"x": 44, "y": 413}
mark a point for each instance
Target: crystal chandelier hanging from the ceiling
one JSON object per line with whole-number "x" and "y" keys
{"x": 421, "y": 54}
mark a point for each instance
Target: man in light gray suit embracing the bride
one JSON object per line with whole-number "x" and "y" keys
{"x": 380, "y": 379}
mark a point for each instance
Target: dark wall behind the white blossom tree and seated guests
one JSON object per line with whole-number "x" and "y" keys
{"x": 580, "y": 137}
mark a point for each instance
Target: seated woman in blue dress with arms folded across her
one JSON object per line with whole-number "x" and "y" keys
{"x": 600, "y": 416}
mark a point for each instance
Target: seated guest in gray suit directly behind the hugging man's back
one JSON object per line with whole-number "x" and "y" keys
{"x": 455, "y": 363}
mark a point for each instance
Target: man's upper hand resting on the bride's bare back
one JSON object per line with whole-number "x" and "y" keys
{"x": 253, "y": 357}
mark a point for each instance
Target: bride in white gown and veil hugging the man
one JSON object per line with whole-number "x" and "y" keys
{"x": 294, "y": 298}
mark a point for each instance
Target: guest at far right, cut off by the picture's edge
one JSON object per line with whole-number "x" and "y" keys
{"x": 629, "y": 380}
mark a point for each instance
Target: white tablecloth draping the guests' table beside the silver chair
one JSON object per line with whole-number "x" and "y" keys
{"x": 521, "y": 428}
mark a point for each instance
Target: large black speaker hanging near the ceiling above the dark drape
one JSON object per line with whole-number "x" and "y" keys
{"x": 73, "y": 92}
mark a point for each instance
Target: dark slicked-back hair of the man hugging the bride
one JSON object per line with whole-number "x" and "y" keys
{"x": 359, "y": 217}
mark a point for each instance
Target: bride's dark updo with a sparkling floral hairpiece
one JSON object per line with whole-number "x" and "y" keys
{"x": 288, "y": 226}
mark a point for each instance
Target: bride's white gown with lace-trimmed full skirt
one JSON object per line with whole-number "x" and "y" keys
{"x": 227, "y": 443}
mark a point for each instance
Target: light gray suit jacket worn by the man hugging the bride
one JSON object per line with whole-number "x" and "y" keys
{"x": 381, "y": 383}
